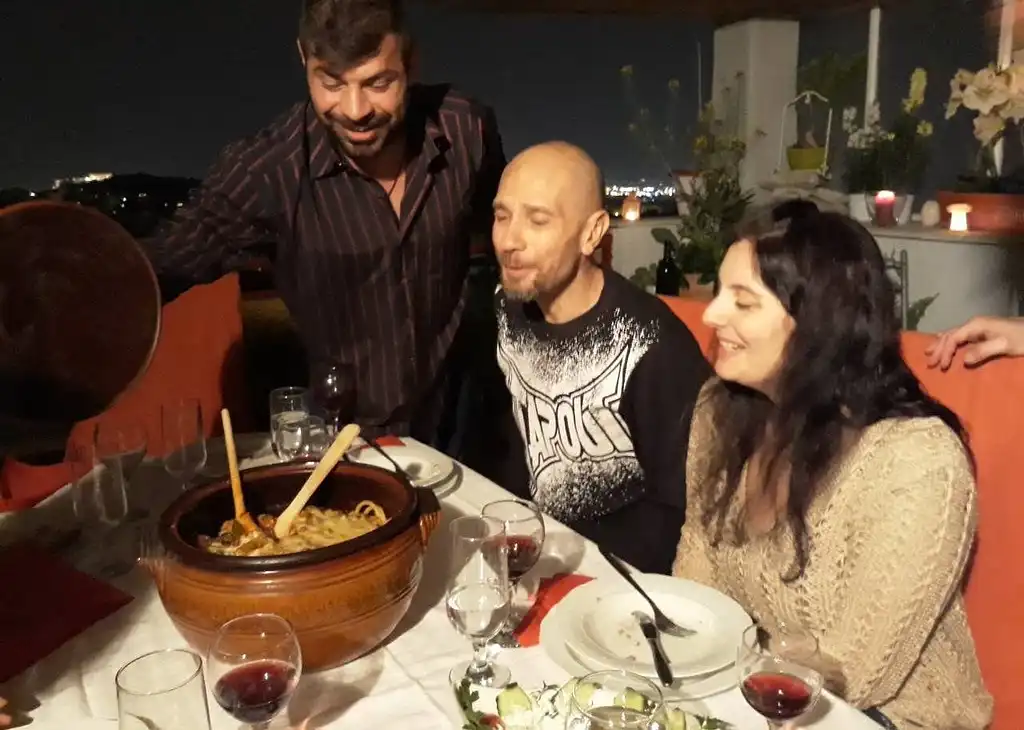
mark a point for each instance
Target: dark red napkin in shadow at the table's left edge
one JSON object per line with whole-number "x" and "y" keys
{"x": 46, "y": 604}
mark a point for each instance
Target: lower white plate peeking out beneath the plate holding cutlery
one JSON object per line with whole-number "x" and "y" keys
{"x": 685, "y": 692}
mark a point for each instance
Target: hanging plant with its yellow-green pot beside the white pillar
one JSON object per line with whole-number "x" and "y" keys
{"x": 838, "y": 80}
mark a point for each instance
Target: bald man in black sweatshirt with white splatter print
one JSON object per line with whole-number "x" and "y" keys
{"x": 603, "y": 376}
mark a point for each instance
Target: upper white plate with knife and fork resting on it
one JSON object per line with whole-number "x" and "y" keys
{"x": 604, "y": 630}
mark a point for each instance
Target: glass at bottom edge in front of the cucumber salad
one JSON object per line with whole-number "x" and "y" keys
{"x": 614, "y": 700}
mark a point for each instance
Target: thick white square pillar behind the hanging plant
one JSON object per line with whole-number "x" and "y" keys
{"x": 758, "y": 60}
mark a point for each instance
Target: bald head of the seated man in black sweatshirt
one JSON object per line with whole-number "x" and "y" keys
{"x": 549, "y": 219}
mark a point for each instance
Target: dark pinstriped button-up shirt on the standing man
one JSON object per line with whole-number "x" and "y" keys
{"x": 381, "y": 293}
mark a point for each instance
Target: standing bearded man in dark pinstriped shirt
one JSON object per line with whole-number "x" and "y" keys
{"x": 367, "y": 198}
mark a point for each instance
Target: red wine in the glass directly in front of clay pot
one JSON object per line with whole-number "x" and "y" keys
{"x": 254, "y": 693}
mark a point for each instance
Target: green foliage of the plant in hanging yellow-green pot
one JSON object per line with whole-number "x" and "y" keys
{"x": 837, "y": 78}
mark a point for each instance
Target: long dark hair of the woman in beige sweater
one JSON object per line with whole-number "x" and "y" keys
{"x": 842, "y": 370}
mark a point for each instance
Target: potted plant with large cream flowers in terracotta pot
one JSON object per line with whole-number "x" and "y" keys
{"x": 996, "y": 197}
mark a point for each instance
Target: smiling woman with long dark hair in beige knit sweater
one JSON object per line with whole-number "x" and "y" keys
{"x": 828, "y": 492}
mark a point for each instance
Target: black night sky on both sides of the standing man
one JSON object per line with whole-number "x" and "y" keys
{"x": 160, "y": 87}
